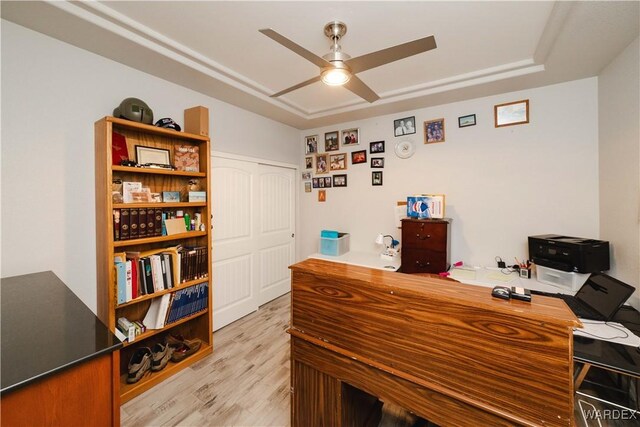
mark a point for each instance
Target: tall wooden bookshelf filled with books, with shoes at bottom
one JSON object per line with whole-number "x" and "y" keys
{"x": 198, "y": 325}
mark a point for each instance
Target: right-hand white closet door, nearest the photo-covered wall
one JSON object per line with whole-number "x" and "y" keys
{"x": 275, "y": 237}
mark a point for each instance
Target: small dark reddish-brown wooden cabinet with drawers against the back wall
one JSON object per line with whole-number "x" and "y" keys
{"x": 425, "y": 245}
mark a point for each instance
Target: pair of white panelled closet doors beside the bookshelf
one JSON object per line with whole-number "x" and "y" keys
{"x": 253, "y": 209}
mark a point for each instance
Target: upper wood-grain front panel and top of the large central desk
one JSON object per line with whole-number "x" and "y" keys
{"x": 509, "y": 359}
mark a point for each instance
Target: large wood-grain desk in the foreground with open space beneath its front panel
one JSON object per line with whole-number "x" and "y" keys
{"x": 446, "y": 351}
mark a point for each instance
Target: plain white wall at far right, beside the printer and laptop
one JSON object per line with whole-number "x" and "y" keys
{"x": 619, "y": 134}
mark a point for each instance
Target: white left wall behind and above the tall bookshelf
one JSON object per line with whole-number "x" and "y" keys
{"x": 52, "y": 93}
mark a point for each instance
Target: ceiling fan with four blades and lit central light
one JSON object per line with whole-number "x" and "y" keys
{"x": 339, "y": 69}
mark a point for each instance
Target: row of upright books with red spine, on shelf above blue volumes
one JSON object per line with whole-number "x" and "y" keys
{"x": 144, "y": 273}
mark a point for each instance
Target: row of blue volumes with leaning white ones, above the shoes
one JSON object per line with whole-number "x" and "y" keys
{"x": 170, "y": 308}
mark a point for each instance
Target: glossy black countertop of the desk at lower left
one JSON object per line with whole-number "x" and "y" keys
{"x": 45, "y": 329}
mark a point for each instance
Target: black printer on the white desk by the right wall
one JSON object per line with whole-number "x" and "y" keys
{"x": 569, "y": 253}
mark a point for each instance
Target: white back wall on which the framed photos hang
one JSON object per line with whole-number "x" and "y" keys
{"x": 501, "y": 185}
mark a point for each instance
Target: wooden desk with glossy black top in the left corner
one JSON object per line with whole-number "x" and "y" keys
{"x": 58, "y": 359}
